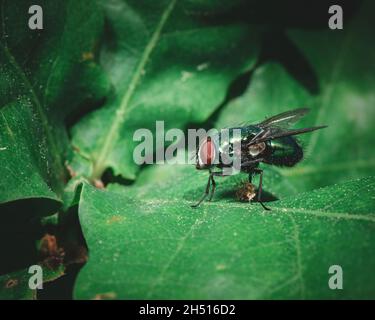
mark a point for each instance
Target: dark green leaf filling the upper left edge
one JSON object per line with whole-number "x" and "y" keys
{"x": 44, "y": 76}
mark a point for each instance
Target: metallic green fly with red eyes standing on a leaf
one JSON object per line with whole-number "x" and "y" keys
{"x": 270, "y": 142}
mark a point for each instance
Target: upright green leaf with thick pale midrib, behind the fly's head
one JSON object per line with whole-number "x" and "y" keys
{"x": 166, "y": 63}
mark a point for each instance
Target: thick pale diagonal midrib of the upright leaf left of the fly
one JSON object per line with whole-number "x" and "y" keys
{"x": 100, "y": 165}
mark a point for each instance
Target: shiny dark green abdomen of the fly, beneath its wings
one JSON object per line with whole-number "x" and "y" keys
{"x": 283, "y": 152}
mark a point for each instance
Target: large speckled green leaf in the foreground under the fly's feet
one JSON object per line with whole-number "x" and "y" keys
{"x": 145, "y": 241}
